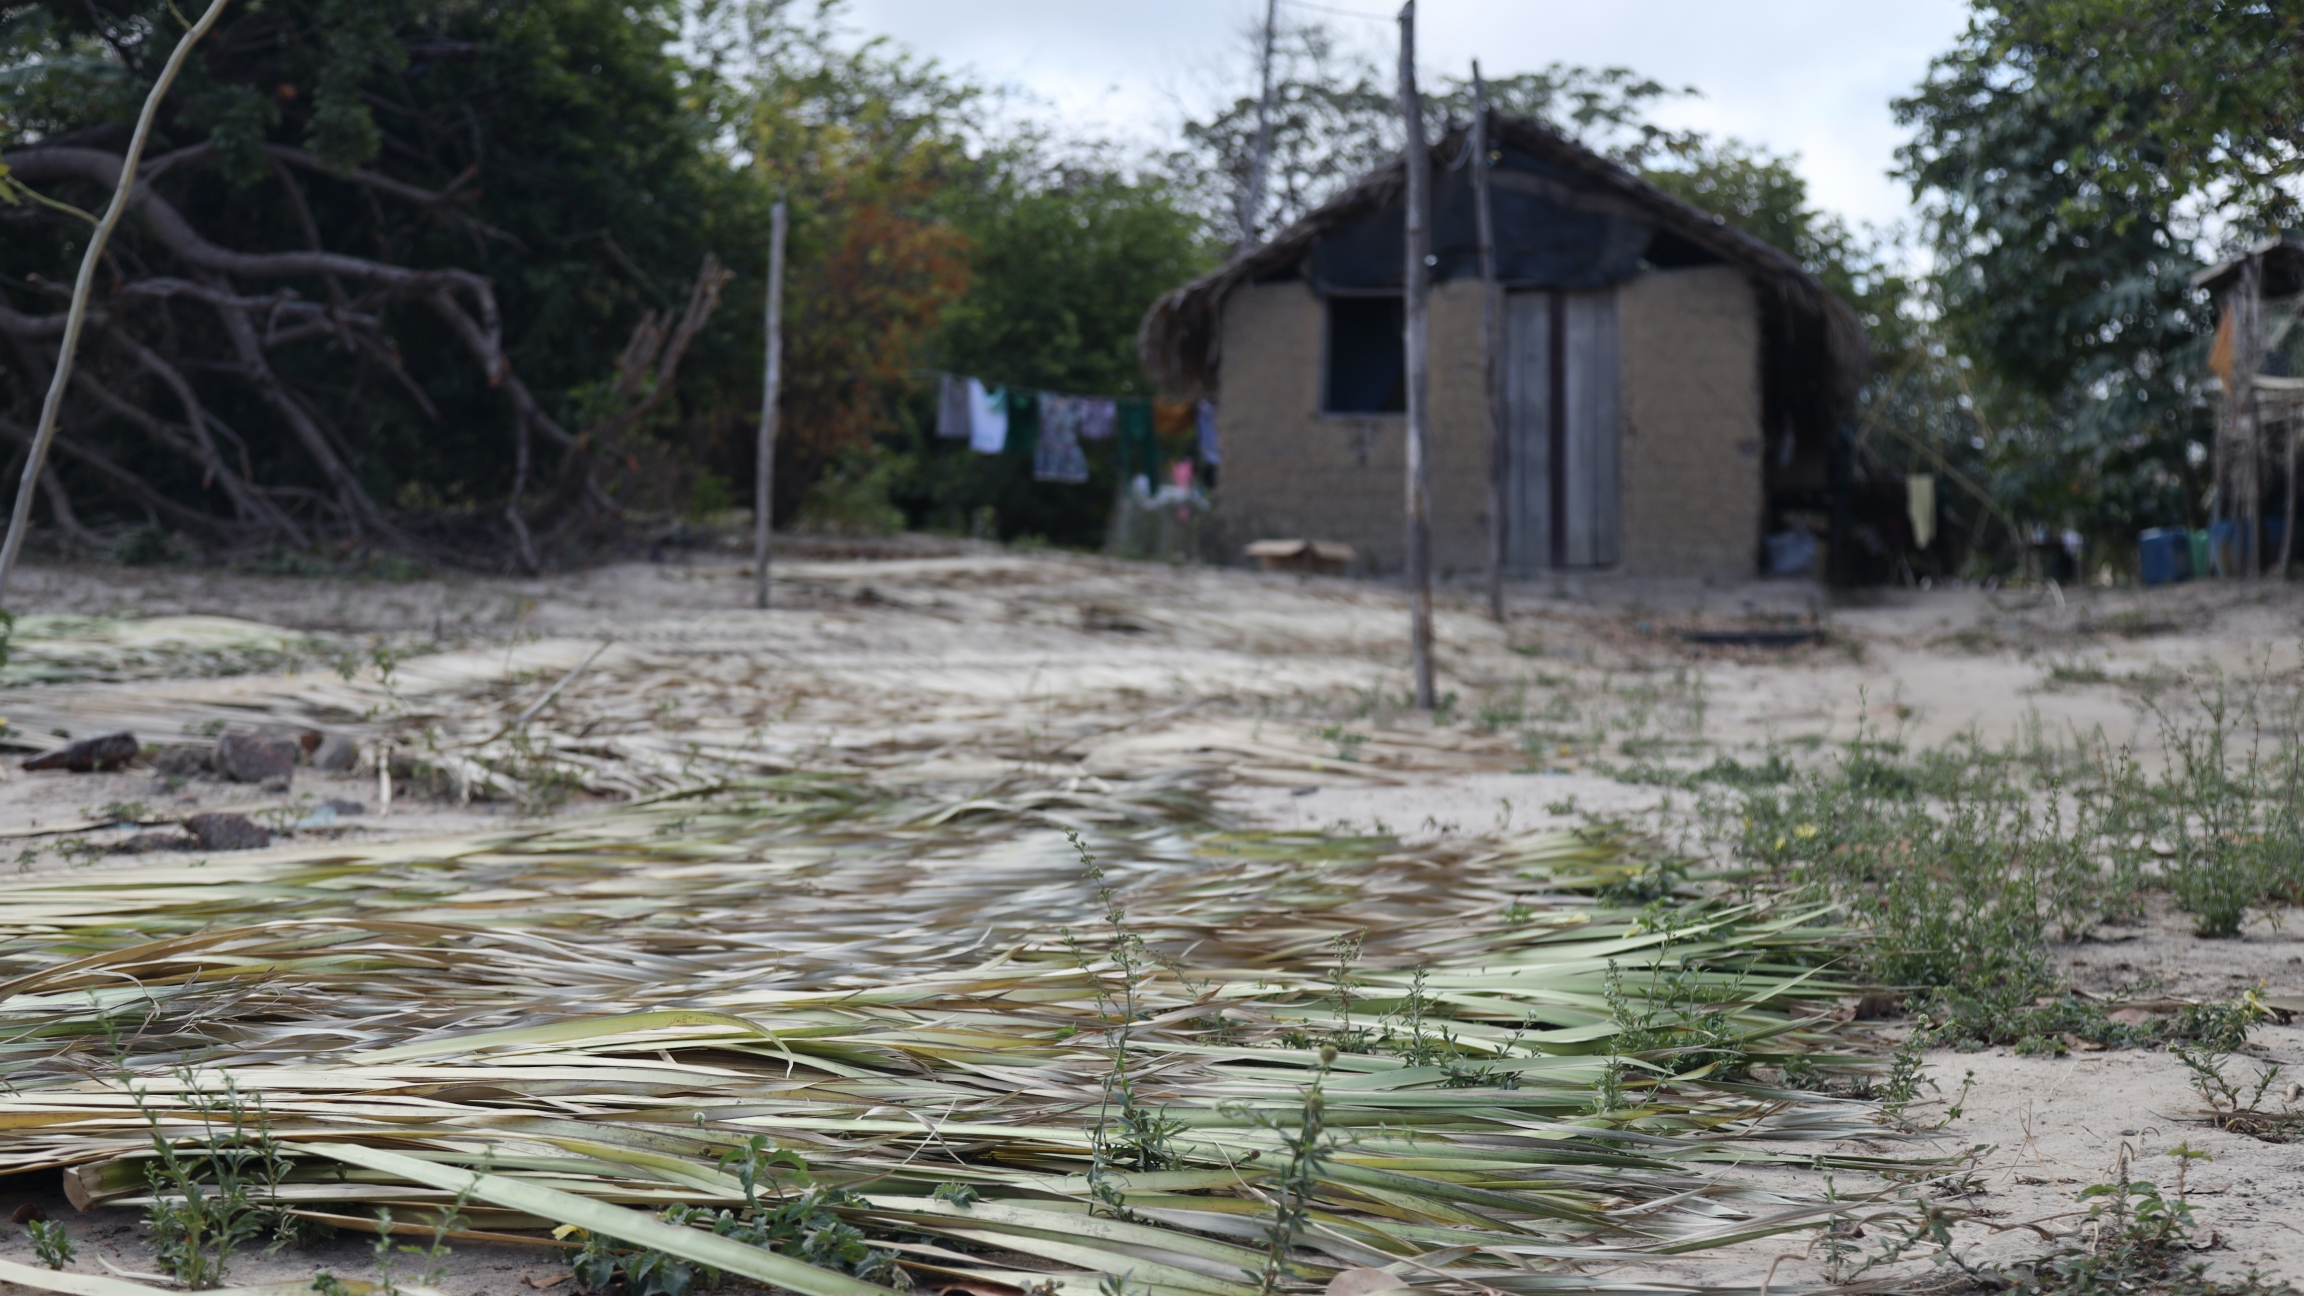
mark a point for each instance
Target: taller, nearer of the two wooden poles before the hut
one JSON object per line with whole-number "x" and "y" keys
{"x": 1416, "y": 340}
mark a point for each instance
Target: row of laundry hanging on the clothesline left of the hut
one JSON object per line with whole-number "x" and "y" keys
{"x": 1052, "y": 428}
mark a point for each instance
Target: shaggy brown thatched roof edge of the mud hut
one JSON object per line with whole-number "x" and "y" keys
{"x": 1183, "y": 336}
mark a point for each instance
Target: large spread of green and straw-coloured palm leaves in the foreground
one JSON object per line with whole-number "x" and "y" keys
{"x": 840, "y": 1043}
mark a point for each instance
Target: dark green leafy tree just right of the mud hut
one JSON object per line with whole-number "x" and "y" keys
{"x": 2066, "y": 303}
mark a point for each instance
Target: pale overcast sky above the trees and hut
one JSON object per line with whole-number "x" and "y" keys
{"x": 1810, "y": 77}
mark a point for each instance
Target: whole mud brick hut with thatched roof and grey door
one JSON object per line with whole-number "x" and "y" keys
{"x": 1690, "y": 382}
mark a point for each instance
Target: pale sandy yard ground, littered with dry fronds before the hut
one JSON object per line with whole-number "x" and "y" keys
{"x": 953, "y": 665}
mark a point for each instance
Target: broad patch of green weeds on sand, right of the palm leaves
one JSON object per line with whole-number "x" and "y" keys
{"x": 1969, "y": 864}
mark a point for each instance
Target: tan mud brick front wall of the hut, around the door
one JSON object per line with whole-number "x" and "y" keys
{"x": 1690, "y": 442}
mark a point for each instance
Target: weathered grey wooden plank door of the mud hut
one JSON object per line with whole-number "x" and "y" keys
{"x": 1563, "y": 384}
